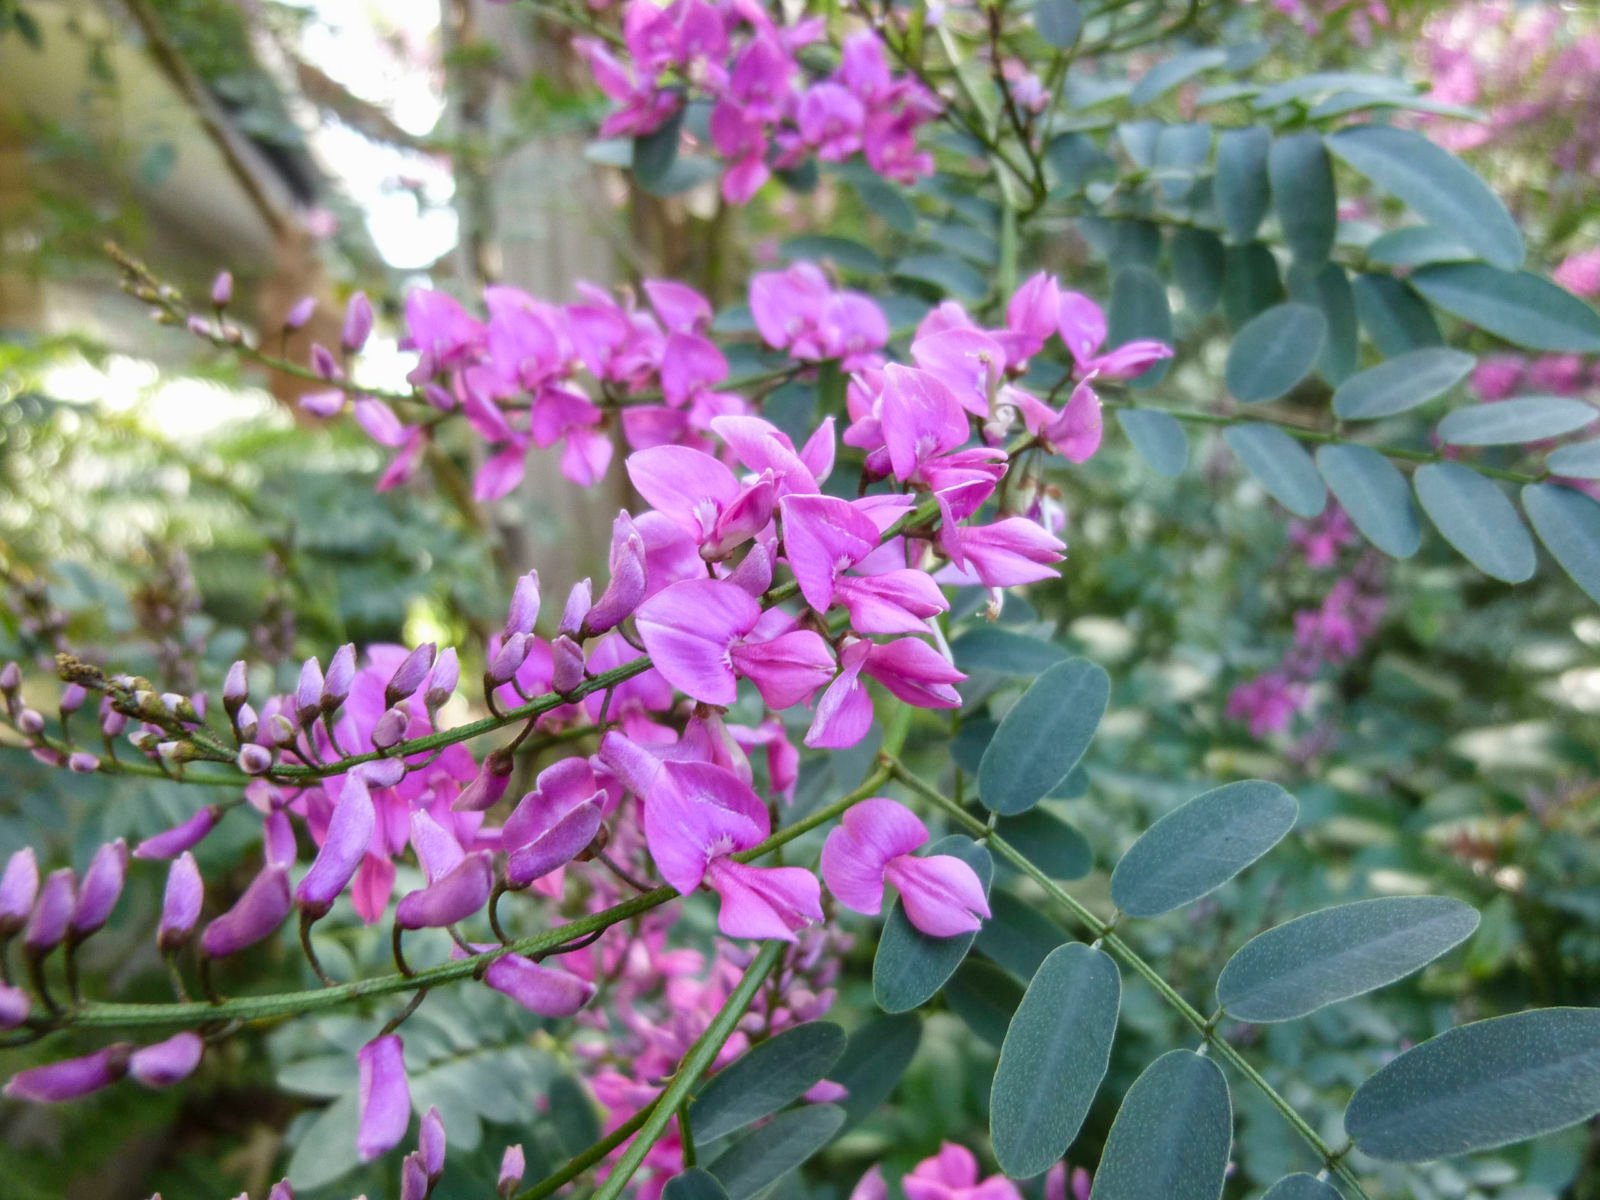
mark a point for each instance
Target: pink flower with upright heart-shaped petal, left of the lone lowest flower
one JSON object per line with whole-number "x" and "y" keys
{"x": 697, "y": 817}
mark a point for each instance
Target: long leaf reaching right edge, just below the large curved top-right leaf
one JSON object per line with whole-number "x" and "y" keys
{"x": 1513, "y": 305}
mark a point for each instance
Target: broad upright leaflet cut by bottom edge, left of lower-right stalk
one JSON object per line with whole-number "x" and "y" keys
{"x": 1172, "y": 1135}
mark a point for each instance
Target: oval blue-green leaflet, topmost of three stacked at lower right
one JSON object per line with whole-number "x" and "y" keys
{"x": 1201, "y": 846}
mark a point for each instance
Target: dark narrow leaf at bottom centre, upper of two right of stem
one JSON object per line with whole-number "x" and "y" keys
{"x": 766, "y": 1079}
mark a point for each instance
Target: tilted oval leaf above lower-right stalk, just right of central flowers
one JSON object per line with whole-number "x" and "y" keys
{"x": 1042, "y": 737}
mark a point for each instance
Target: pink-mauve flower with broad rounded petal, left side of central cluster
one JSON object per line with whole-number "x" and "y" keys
{"x": 698, "y": 634}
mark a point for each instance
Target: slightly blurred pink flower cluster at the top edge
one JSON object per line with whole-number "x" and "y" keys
{"x": 769, "y": 111}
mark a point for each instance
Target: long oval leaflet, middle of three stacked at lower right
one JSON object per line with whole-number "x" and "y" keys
{"x": 1338, "y": 953}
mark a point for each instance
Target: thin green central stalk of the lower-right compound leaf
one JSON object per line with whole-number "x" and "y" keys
{"x": 1106, "y": 934}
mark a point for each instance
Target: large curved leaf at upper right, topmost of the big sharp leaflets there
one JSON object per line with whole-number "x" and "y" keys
{"x": 1436, "y": 186}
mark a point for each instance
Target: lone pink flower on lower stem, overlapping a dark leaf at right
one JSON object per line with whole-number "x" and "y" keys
{"x": 873, "y": 846}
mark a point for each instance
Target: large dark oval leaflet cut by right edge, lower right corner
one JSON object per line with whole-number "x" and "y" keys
{"x": 1482, "y": 1086}
